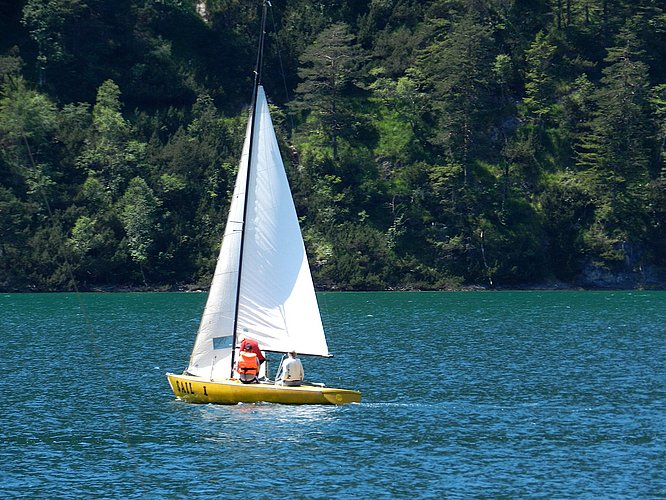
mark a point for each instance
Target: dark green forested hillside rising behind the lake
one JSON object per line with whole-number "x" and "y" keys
{"x": 430, "y": 144}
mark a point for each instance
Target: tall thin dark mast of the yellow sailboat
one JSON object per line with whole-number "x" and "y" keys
{"x": 255, "y": 92}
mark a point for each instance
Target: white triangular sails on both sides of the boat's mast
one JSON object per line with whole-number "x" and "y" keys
{"x": 277, "y": 304}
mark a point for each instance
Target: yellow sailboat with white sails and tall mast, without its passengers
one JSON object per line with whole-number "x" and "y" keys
{"x": 262, "y": 288}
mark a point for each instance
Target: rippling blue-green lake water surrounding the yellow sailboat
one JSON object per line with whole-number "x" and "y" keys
{"x": 488, "y": 394}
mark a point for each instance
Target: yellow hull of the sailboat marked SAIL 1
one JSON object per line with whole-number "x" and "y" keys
{"x": 232, "y": 391}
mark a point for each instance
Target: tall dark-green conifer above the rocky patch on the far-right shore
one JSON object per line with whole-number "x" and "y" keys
{"x": 616, "y": 149}
